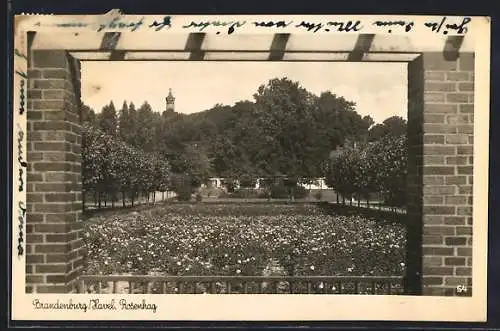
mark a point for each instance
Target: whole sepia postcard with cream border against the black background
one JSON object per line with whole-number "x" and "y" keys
{"x": 302, "y": 156}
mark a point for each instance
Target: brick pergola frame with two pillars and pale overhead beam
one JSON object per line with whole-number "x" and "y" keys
{"x": 440, "y": 118}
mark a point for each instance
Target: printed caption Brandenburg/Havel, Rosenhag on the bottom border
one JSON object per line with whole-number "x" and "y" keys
{"x": 95, "y": 304}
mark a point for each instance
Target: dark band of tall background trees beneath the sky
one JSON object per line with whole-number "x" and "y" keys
{"x": 285, "y": 131}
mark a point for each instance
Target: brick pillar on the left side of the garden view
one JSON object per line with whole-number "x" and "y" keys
{"x": 54, "y": 248}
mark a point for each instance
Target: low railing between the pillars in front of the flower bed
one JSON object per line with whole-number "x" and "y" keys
{"x": 136, "y": 284}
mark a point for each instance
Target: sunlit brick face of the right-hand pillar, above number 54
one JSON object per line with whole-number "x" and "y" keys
{"x": 446, "y": 171}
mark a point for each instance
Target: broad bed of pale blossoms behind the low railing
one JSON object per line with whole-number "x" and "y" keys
{"x": 242, "y": 239}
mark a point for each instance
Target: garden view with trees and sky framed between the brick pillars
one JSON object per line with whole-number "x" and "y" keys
{"x": 230, "y": 184}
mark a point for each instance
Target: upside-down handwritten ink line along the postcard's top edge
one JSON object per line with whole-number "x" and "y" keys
{"x": 442, "y": 25}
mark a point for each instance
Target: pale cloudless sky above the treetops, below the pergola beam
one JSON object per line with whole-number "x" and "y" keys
{"x": 378, "y": 89}
